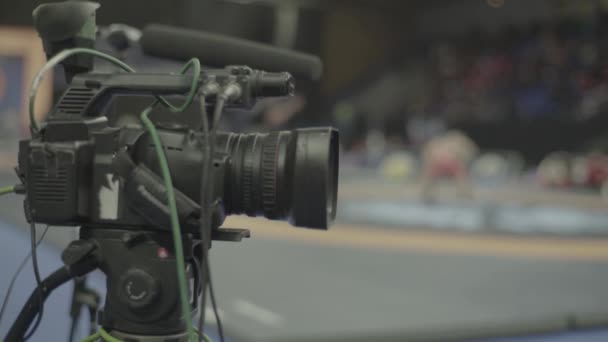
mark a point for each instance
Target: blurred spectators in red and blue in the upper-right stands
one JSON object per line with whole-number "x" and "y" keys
{"x": 555, "y": 70}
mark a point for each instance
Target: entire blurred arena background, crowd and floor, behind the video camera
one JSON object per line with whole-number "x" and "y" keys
{"x": 474, "y": 167}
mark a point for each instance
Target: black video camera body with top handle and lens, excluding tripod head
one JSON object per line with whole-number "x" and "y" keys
{"x": 81, "y": 171}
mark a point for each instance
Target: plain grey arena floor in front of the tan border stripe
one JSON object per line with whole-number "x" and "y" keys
{"x": 278, "y": 289}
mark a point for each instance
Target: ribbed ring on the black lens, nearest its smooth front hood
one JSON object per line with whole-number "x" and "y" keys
{"x": 269, "y": 175}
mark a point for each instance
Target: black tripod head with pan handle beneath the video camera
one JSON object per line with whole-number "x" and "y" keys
{"x": 142, "y": 302}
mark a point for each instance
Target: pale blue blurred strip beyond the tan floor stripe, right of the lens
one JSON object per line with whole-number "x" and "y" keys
{"x": 475, "y": 217}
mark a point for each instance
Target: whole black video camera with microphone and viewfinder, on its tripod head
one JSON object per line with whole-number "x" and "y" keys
{"x": 115, "y": 182}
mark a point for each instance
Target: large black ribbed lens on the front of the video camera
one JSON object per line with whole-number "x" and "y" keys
{"x": 285, "y": 175}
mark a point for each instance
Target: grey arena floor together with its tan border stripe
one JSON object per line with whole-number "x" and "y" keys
{"x": 379, "y": 282}
